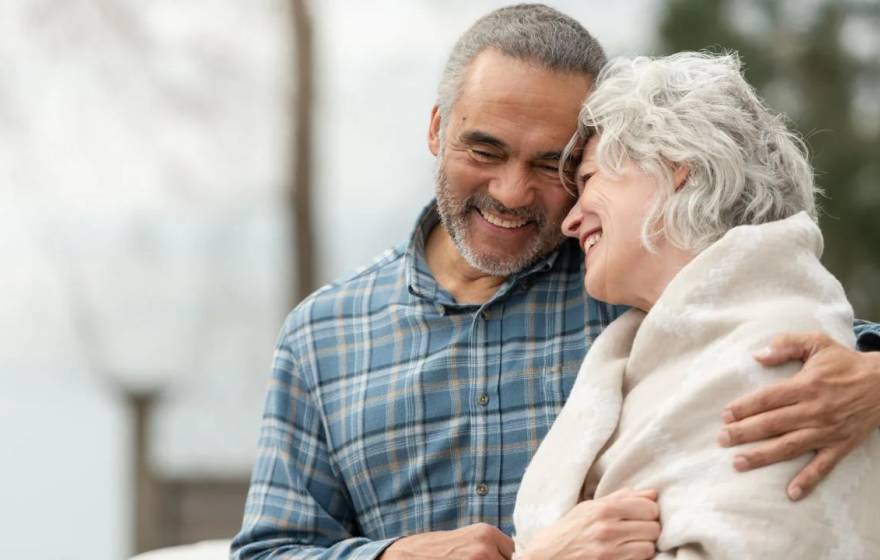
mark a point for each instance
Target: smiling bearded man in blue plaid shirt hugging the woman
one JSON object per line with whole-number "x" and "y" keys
{"x": 406, "y": 400}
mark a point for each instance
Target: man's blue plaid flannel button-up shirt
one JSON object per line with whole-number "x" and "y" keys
{"x": 393, "y": 410}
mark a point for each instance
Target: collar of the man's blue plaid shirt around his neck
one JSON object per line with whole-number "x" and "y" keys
{"x": 421, "y": 282}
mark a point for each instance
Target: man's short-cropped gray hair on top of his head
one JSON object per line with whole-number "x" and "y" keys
{"x": 531, "y": 32}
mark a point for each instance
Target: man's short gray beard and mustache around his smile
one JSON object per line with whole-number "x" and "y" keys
{"x": 455, "y": 213}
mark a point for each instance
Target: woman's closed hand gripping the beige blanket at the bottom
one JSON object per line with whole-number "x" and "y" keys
{"x": 622, "y": 525}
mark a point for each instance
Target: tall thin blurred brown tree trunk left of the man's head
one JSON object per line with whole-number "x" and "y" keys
{"x": 300, "y": 194}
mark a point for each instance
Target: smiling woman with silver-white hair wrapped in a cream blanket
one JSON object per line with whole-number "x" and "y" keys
{"x": 695, "y": 207}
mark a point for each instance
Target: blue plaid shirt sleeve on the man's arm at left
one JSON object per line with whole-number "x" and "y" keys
{"x": 297, "y": 507}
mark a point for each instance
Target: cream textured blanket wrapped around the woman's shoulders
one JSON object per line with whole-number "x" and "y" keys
{"x": 645, "y": 411}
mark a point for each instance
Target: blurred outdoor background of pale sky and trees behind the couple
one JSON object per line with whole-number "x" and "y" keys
{"x": 176, "y": 175}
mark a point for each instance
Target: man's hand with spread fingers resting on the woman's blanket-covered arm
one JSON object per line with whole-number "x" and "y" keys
{"x": 830, "y": 406}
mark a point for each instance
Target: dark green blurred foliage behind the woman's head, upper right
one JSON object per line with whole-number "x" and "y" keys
{"x": 808, "y": 60}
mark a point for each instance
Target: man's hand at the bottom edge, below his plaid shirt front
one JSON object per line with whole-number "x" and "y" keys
{"x": 478, "y": 542}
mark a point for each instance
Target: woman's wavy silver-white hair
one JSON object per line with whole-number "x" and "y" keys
{"x": 696, "y": 109}
